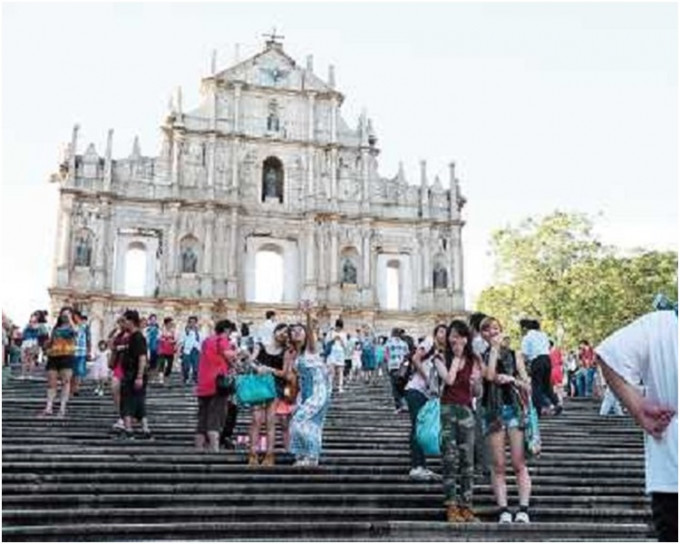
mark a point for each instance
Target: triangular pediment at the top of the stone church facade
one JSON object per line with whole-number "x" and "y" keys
{"x": 274, "y": 68}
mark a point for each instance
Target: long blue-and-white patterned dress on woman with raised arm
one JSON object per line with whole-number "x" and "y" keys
{"x": 306, "y": 427}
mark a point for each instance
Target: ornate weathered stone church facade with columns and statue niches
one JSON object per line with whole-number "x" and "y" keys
{"x": 264, "y": 163}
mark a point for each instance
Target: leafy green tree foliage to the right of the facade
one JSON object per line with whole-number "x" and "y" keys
{"x": 556, "y": 270}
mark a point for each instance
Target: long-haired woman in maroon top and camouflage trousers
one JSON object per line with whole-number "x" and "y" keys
{"x": 460, "y": 370}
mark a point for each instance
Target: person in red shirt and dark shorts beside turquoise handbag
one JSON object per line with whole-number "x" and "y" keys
{"x": 217, "y": 354}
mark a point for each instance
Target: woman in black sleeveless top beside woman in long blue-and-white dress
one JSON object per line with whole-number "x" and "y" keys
{"x": 268, "y": 359}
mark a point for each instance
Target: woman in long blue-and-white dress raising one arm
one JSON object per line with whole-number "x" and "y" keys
{"x": 306, "y": 427}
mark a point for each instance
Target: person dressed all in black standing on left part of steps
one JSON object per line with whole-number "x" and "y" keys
{"x": 133, "y": 384}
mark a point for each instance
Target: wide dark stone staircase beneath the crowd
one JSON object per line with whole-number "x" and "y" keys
{"x": 72, "y": 479}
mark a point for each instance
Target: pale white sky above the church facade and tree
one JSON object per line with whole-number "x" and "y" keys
{"x": 542, "y": 106}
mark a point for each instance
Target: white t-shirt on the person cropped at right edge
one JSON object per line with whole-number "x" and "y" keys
{"x": 647, "y": 351}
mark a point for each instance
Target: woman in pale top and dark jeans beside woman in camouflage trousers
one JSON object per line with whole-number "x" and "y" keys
{"x": 421, "y": 387}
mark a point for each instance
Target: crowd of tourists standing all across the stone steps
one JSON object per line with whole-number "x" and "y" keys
{"x": 468, "y": 393}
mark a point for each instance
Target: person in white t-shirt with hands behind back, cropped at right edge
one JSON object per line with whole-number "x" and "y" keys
{"x": 647, "y": 351}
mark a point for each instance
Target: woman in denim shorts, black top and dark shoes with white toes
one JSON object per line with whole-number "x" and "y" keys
{"x": 503, "y": 415}
